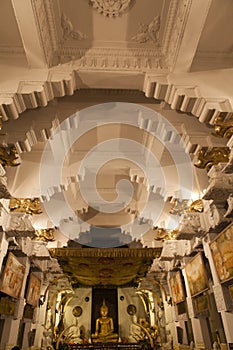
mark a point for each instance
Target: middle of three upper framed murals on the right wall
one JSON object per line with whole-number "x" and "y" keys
{"x": 196, "y": 275}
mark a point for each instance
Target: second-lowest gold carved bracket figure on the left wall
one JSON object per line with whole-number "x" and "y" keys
{"x": 25, "y": 205}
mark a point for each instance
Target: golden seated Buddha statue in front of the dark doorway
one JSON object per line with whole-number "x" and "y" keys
{"x": 104, "y": 327}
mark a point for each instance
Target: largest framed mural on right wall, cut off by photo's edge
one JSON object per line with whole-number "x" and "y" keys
{"x": 222, "y": 252}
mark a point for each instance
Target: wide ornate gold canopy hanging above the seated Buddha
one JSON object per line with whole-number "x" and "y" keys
{"x": 105, "y": 267}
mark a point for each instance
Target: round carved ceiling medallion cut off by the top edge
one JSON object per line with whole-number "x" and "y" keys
{"x": 110, "y": 8}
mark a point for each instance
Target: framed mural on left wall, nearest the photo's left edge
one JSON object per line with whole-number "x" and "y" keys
{"x": 13, "y": 275}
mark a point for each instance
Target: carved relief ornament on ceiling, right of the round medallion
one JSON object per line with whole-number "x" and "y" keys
{"x": 148, "y": 32}
